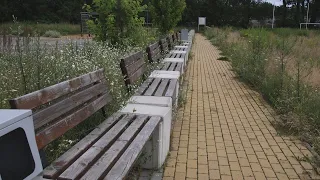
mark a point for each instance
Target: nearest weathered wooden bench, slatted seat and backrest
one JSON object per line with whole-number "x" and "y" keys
{"x": 109, "y": 151}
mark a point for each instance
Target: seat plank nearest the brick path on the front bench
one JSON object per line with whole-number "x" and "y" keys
{"x": 129, "y": 157}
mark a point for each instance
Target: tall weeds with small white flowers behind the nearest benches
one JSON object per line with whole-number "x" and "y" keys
{"x": 32, "y": 66}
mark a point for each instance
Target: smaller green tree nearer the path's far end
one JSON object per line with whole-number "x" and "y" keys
{"x": 166, "y": 13}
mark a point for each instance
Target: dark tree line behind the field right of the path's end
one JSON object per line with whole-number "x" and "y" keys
{"x": 240, "y": 12}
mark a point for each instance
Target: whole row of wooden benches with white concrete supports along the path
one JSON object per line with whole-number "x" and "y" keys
{"x": 112, "y": 148}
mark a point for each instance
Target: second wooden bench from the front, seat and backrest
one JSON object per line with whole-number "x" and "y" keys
{"x": 152, "y": 86}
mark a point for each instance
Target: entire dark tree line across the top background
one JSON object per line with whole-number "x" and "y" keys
{"x": 218, "y": 12}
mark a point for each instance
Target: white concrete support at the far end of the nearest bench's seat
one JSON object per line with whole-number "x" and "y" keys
{"x": 158, "y": 147}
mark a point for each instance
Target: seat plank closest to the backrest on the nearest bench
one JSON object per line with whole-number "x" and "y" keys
{"x": 64, "y": 161}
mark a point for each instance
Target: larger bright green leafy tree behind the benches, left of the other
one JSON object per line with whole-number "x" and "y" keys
{"x": 117, "y": 21}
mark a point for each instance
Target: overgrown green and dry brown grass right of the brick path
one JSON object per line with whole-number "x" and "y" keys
{"x": 280, "y": 64}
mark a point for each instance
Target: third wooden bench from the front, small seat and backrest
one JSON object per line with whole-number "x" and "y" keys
{"x": 154, "y": 55}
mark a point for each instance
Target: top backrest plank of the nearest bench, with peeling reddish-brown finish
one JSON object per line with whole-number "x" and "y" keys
{"x": 43, "y": 96}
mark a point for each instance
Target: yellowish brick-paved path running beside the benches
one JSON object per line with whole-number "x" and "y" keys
{"x": 224, "y": 130}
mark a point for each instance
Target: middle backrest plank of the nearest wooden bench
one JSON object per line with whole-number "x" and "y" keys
{"x": 54, "y": 111}
